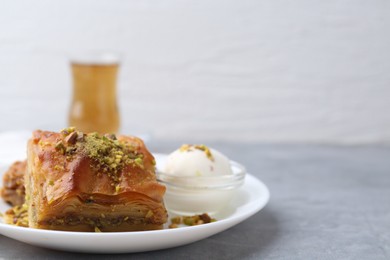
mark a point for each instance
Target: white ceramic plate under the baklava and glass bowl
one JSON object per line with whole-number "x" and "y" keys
{"x": 251, "y": 198}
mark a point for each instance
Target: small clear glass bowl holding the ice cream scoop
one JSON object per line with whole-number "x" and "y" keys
{"x": 189, "y": 195}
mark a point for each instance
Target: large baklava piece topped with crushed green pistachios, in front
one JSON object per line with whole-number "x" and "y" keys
{"x": 92, "y": 182}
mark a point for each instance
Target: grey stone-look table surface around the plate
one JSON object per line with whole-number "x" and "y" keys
{"x": 327, "y": 202}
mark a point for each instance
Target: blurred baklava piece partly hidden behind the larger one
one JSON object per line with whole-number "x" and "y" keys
{"x": 13, "y": 190}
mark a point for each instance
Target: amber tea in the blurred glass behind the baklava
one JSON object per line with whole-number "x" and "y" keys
{"x": 94, "y": 105}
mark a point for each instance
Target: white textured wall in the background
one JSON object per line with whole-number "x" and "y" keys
{"x": 272, "y": 70}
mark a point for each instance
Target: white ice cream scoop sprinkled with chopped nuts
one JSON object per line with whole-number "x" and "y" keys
{"x": 197, "y": 160}
